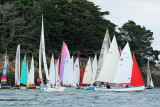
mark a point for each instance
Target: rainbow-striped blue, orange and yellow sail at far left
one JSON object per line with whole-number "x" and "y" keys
{"x": 4, "y": 78}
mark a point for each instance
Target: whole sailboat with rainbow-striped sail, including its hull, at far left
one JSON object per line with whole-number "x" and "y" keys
{"x": 4, "y": 78}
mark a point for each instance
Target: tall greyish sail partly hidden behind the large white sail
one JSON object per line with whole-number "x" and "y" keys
{"x": 106, "y": 43}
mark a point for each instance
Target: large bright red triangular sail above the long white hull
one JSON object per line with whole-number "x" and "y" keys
{"x": 136, "y": 79}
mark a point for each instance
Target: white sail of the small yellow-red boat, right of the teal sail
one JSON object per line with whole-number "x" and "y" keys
{"x": 31, "y": 73}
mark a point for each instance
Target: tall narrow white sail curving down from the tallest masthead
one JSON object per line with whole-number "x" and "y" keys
{"x": 43, "y": 51}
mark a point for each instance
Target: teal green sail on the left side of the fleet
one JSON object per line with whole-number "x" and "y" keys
{"x": 23, "y": 78}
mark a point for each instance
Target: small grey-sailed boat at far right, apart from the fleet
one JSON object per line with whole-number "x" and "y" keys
{"x": 150, "y": 84}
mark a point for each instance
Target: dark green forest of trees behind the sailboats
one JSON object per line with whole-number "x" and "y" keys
{"x": 79, "y": 23}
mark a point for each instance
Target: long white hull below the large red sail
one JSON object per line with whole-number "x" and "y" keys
{"x": 140, "y": 88}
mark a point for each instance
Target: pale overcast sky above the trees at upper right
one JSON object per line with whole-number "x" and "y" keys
{"x": 142, "y": 12}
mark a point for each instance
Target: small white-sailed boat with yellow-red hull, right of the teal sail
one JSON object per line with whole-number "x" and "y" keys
{"x": 30, "y": 80}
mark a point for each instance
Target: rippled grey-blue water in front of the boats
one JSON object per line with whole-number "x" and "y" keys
{"x": 79, "y": 97}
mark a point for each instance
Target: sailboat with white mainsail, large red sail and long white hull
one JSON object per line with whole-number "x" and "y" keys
{"x": 125, "y": 73}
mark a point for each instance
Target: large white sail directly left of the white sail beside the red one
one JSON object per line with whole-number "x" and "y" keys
{"x": 108, "y": 71}
